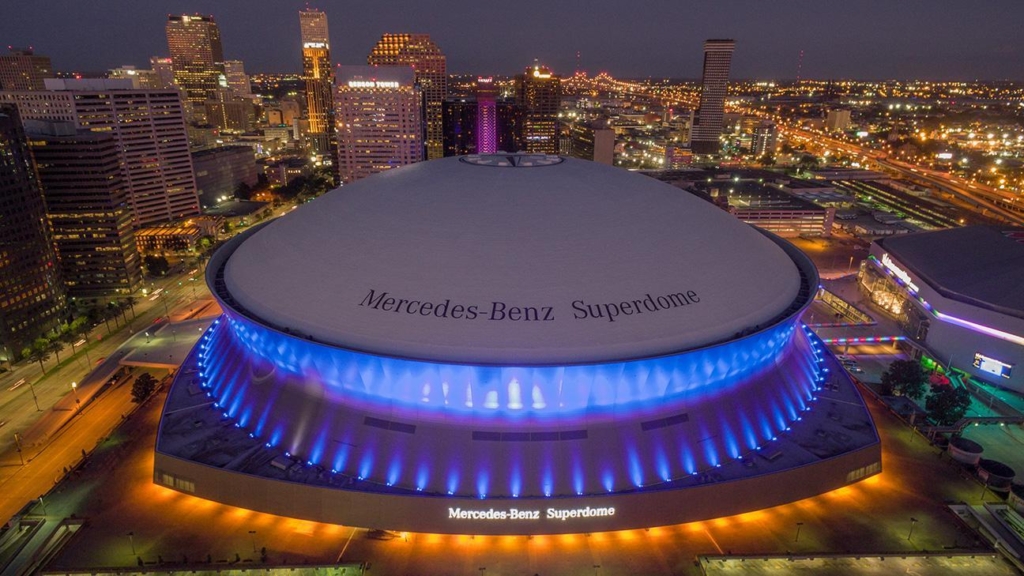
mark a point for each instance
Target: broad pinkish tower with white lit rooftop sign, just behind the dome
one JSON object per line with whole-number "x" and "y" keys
{"x": 379, "y": 115}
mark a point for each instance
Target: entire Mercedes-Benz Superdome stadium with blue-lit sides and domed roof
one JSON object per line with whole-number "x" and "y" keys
{"x": 511, "y": 345}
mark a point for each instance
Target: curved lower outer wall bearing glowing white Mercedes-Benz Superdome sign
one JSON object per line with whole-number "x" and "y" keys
{"x": 521, "y": 516}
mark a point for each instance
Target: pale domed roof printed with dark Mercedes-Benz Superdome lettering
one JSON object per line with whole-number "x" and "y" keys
{"x": 513, "y": 261}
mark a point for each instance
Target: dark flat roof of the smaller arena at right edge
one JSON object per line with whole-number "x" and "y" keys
{"x": 979, "y": 266}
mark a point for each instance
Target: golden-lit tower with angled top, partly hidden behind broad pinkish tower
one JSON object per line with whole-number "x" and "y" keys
{"x": 419, "y": 52}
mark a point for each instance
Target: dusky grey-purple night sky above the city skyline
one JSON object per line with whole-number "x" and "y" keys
{"x": 864, "y": 39}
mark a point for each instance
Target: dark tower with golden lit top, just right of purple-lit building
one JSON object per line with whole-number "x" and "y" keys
{"x": 539, "y": 93}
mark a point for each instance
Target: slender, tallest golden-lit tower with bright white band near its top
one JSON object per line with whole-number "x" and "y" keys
{"x": 320, "y": 79}
